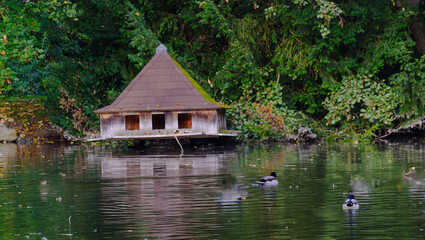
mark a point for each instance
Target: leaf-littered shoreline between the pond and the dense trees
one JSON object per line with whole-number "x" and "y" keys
{"x": 29, "y": 118}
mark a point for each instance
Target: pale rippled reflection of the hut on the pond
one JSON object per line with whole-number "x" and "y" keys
{"x": 168, "y": 191}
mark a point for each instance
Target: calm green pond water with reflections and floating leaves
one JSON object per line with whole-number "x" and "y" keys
{"x": 88, "y": 192}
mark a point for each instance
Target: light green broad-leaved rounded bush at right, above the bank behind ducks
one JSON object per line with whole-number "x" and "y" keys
{"x": 363, "y": 102}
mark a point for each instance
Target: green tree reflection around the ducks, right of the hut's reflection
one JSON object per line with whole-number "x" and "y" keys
{"x": 329, "y": 172}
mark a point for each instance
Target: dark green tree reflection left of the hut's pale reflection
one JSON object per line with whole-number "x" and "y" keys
{"x": 34, "y": 177}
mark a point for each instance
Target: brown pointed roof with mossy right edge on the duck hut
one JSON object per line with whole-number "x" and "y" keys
{"x": 161, "y": 85}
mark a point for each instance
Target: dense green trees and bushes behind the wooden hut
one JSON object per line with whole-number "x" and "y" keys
{"x": 346, "y": 69}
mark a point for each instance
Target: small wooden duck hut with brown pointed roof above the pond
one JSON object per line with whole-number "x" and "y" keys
{"x": 162, "y": 101}
